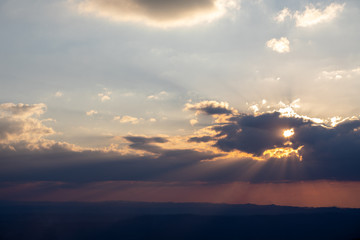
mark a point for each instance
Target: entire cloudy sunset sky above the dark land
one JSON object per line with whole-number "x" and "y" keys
{"x": 231, "y": 101}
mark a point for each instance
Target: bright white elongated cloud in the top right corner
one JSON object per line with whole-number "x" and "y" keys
{"x": 312, "y": 15}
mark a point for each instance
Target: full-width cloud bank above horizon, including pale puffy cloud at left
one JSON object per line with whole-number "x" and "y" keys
{"x": 240, "y": 147}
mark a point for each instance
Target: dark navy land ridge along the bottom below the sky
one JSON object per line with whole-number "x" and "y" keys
{"x": 172, "y": 221}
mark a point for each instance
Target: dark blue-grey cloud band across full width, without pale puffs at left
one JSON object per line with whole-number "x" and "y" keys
{"x": 327, "y": 153}
